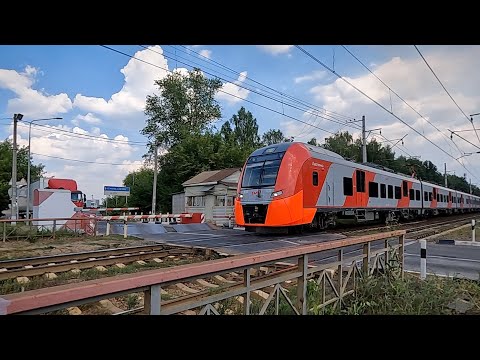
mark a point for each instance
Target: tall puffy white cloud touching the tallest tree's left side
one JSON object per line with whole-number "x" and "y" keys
{"x": 139, "y": 82}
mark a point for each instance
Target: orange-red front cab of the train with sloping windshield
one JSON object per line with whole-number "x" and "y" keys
{"x": 270, "y": 189}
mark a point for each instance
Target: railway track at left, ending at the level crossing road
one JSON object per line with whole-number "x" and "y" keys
{"x": 35, "y": 266}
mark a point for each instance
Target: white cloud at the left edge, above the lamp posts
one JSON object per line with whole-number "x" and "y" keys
{"x": 29, "y": 102}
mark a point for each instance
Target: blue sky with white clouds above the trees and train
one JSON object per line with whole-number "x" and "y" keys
{"x": 101, "y": 93}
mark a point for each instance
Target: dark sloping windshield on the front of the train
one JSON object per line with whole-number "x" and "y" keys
{"x": 261, "y": 173}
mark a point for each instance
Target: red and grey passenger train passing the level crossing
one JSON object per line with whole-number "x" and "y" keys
{"x": 297, "y": 184}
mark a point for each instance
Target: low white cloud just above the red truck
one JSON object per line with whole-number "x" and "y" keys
{"x": 90, "y": 177}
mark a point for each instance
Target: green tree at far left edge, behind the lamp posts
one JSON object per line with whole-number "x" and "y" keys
{"x": 6, "y": 155}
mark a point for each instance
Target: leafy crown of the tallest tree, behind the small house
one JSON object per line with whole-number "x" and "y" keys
{"x": 186, "y": 105}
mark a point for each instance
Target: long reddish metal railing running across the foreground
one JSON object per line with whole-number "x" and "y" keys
{"x": 335, "y": 266}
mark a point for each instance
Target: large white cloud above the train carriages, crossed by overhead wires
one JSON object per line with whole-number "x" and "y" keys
{"x": 411, "y": 79}
